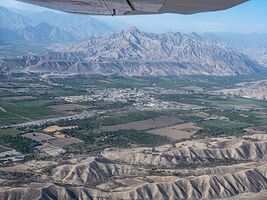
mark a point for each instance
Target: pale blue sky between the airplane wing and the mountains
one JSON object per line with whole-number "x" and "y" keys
{"x": 249, "y": 17}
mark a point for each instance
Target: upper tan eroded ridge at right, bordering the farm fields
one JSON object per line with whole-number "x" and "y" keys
{"x": 199, "y": 152}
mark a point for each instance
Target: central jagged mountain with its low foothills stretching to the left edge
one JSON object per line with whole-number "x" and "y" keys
{"x": 135, "y": 53}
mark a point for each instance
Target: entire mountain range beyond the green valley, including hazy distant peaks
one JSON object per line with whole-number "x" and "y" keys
{"x": 85, "y": 45}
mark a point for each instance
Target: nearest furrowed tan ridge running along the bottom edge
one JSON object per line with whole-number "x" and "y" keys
{"x": 203, "y": 187}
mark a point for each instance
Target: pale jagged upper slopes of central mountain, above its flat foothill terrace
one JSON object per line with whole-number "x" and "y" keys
{"x": 187, "y": 50}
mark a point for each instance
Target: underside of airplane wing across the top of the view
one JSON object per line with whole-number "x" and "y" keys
{"x": 135, "y": 7}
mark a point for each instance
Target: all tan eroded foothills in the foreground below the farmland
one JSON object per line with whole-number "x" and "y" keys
{"x": 200, "y": 169}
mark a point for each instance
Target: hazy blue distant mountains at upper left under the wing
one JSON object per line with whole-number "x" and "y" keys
{"x": 48, "y": 27}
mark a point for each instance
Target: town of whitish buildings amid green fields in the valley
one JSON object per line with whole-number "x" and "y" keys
{"x": 143, "y": 99}
